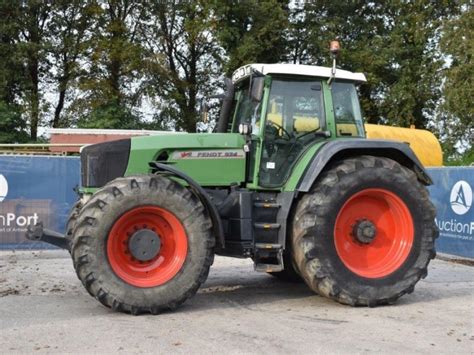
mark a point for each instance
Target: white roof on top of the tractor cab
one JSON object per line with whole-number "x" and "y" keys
{"x": 295, "y": 69}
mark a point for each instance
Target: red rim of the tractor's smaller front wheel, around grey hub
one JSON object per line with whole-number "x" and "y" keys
{"x": 170, "y": 258}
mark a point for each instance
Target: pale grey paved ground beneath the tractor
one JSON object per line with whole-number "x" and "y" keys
{"x": 44, "y": 308}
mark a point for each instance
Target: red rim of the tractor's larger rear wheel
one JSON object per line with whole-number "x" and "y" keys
{"x": 392, "y": 243}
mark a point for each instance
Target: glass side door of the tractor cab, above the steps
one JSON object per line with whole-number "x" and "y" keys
{"x": 293, "y": 118}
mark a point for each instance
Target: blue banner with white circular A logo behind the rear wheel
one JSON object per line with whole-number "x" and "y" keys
{"x": 452, "y": 194}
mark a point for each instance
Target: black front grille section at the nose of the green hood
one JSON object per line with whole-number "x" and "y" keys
{"x": 103, "y": 162}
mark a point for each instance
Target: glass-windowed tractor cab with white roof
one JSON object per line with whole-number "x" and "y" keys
{"x": 284, "y": 109}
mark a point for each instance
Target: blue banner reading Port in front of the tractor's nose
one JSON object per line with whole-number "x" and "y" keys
{"x": 32, "y": 189}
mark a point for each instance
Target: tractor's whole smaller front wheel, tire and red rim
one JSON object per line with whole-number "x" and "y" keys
{"x": 142, "y": 244}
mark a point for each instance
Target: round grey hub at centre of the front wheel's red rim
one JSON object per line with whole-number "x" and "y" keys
{"x": 144, "y": 244}
